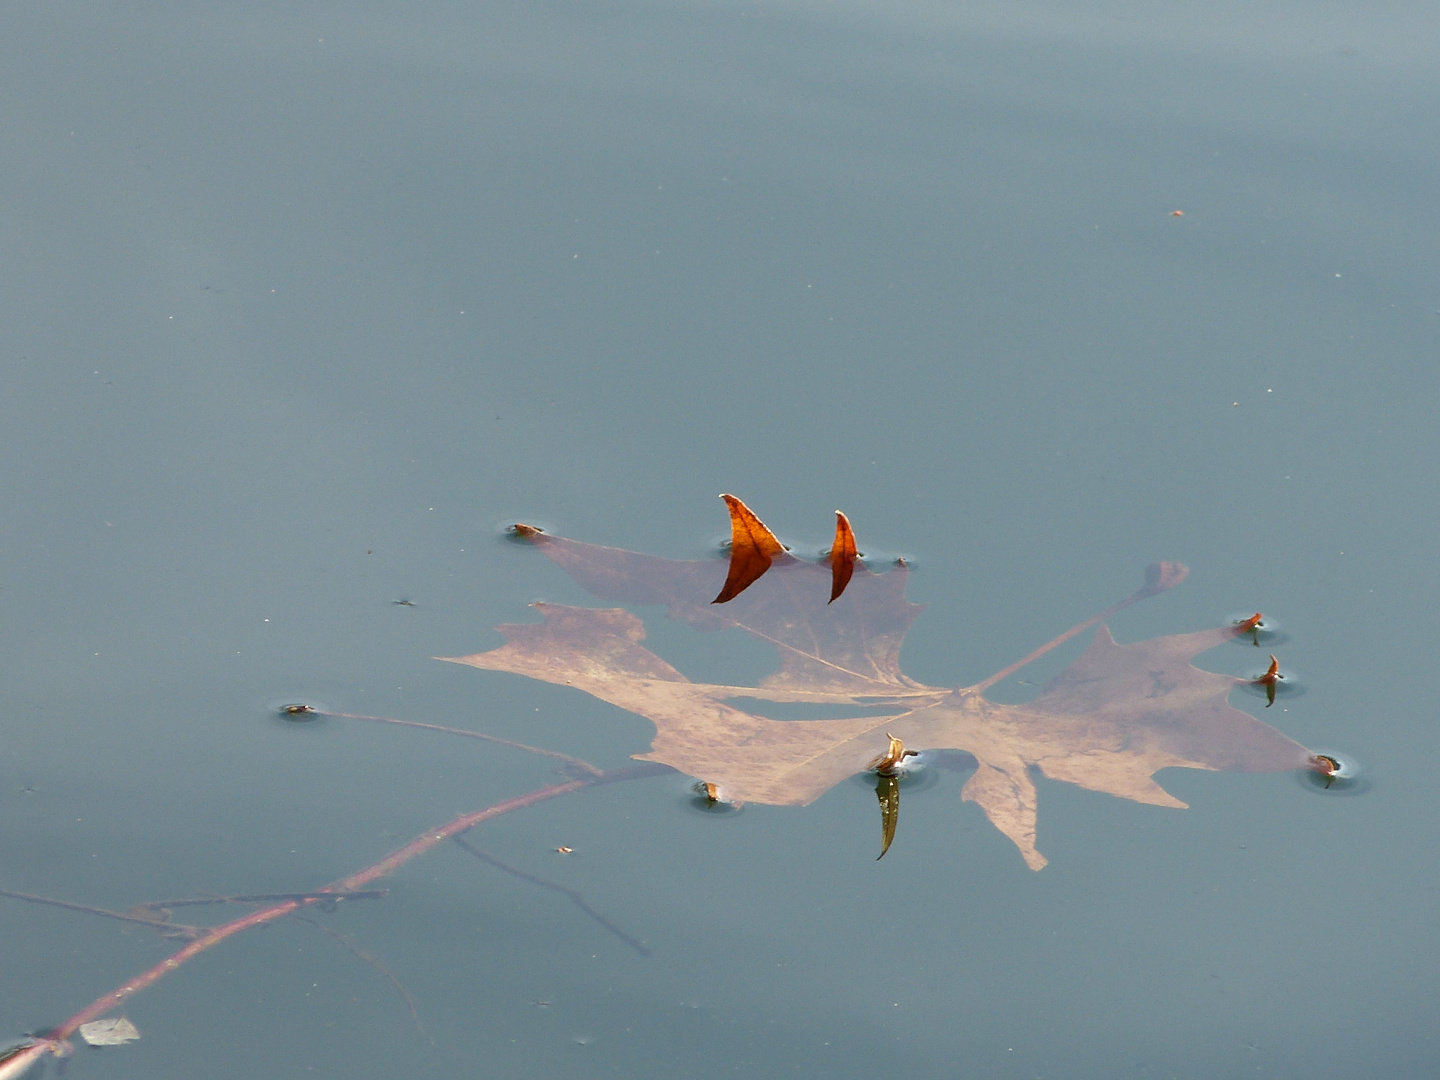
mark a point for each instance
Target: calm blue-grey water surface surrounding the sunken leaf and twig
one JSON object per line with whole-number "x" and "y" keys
{"x": 303, "y": 305}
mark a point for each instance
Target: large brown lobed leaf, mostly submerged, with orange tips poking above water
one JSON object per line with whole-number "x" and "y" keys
{"x": 1111, "y": 721}
